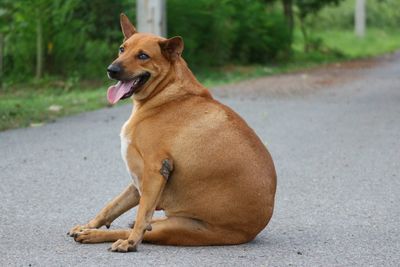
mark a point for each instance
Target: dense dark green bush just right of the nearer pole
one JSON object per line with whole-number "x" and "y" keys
{"x": 219, "y": 32}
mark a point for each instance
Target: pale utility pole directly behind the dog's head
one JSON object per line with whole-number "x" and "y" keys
{"x": 152, "y": 16}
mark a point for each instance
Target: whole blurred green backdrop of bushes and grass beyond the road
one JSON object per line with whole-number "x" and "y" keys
{"x": 54, "y": 53}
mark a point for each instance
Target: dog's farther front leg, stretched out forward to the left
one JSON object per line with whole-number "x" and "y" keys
{"x": 128, "y": 199}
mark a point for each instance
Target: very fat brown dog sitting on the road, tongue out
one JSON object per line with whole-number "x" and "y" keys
{"x": 188, "y": 155}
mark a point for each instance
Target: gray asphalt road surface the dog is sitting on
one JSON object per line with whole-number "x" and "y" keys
{"x": 337, "y": 154}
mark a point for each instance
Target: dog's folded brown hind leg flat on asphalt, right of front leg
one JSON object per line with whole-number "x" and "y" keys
{"x": 182, "y": 231}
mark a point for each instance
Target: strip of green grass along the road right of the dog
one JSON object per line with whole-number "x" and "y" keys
{"x": 336, "y": 46}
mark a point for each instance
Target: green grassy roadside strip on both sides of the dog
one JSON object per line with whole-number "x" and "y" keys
{"x": 35, "y": 104}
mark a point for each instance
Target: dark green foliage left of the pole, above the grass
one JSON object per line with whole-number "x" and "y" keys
{"x": 80, "y": 37}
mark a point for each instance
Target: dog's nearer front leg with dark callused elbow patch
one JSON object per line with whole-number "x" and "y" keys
{"x": 154, "y": 179}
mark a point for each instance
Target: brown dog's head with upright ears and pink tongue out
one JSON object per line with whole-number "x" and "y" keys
{"x": 143, "y": 62}
